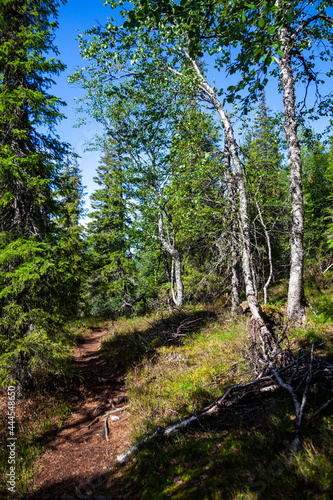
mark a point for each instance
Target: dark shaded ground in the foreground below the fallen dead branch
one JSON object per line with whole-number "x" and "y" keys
{"x": 240, "y": 455}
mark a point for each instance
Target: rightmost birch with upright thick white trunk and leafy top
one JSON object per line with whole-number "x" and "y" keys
{"x": 295, "y": 36}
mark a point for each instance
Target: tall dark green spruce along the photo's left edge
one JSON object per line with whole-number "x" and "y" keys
{"x": 34, "y": 268}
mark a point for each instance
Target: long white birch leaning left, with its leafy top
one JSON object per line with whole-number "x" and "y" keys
{"x": 175, "y": 53}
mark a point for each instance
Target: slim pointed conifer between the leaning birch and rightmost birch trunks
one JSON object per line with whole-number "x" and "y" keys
{"x": 267, "y": 186}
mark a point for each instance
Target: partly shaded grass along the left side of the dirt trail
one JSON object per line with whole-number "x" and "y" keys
{"x": 38, "y": 417}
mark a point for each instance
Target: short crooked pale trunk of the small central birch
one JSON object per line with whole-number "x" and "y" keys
{"x": 176, "y": 266}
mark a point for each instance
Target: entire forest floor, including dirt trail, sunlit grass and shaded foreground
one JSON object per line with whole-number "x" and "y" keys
{"x": 157, "y": 369}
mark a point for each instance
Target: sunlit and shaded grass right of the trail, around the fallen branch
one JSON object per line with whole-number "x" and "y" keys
{"x": 242, "y": 455}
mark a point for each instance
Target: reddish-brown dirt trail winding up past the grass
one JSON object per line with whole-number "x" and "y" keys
{"x": 78, "y": 461}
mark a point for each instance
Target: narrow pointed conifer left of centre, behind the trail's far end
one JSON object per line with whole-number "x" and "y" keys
{"x": 112, "y": 270}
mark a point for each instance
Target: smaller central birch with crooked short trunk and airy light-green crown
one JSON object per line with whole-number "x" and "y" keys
{"x": 139, "y": 116}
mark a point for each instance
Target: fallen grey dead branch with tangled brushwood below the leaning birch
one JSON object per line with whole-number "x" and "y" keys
{"x": 280, "y": 368}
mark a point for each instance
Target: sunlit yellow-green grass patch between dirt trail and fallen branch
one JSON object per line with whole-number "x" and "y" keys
{"x": 180, "y": 379}
